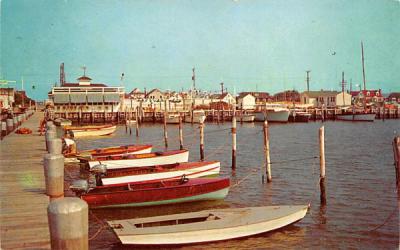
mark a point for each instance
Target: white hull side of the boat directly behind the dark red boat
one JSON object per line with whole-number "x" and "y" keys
{"x": 211, "y": 169}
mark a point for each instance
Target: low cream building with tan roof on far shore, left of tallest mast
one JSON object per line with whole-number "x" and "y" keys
{"x": 325, "y": 98}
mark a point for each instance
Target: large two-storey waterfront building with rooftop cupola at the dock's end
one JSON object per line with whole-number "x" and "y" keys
{"x": 86, "y": 96}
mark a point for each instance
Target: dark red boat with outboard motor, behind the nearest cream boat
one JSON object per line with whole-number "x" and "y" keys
{"x": 153, "y": 192}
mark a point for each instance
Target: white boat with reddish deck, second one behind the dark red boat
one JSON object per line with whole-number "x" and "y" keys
{"x": 140, "y": 160}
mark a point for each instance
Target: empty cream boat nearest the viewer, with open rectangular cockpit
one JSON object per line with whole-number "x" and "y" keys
{"x": 206, "y": 226}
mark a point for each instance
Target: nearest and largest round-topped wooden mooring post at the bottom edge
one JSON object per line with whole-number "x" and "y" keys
{"x": 68, "y": 223}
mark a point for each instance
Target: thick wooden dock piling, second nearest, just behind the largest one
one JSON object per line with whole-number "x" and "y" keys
{"x": 54, "y": 175}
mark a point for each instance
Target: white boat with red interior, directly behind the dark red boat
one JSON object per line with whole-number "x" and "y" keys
{"x": 160, "y": 172}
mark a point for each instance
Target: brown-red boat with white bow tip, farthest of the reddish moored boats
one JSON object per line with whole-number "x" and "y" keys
{"x": 112, "y": 151}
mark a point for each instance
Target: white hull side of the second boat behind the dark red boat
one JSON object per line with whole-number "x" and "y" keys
{"x": 142, "y": 162}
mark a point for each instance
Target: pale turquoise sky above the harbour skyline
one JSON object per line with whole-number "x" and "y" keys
{"x": 250, "y": 45}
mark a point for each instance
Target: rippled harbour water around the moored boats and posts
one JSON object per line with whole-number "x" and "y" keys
{"x": 362, "y": 205}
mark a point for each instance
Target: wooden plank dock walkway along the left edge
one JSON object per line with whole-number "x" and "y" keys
{"x": 23, "y": 218}
